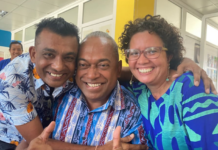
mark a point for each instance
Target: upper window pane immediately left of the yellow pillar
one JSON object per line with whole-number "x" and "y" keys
{"x": 92, "y": 8}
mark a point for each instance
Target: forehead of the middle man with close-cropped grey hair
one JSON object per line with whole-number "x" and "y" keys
{"x": 96, "y": 48}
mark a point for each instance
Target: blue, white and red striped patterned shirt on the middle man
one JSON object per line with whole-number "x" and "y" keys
{"x": 76, "y": 124}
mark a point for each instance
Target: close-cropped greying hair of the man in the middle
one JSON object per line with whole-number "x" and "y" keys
{"x": 104, "y": 35}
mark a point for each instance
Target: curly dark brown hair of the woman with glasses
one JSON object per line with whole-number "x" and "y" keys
{"x": 168, "y": 33}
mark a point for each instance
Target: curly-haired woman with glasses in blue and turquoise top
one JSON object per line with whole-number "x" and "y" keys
{"x": 176, "y": 114}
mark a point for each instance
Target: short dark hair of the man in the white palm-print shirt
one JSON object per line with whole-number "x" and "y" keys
{"x": 58, "y": 26}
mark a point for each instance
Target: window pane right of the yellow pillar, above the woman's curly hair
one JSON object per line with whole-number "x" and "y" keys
{"x": 169, "y": 11}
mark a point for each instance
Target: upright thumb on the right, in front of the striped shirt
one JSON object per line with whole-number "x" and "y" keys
{"x": 116, "y": 139}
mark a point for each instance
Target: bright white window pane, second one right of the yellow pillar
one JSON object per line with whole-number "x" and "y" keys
{"x": 193, "y": 25}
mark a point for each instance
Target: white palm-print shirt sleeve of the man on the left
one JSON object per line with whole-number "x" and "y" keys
{"x": 16, "y": 94}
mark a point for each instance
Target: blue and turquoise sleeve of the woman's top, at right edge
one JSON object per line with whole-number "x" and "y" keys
{"x": 200, "y": 116}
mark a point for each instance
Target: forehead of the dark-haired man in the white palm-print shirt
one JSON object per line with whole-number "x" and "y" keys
{"x": 51, "y": 40}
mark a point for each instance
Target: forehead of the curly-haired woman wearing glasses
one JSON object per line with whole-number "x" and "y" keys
{"x": 145, "y": 39}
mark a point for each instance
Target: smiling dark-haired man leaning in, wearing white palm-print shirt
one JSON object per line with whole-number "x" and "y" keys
{"x": 31, "y": 81}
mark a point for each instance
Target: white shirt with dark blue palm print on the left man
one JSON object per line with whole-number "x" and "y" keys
{"x": 23, "y": 95}
